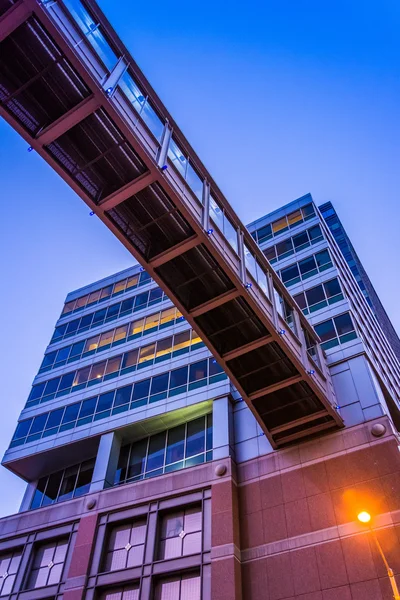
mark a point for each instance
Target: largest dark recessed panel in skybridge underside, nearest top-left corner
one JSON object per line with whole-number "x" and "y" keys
{"x": 38, "y": 84}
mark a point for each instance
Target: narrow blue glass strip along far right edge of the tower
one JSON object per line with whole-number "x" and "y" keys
{"x": 356, "y": 267}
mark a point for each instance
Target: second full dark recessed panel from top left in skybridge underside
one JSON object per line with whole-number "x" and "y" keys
{"x": 97, "y": 156}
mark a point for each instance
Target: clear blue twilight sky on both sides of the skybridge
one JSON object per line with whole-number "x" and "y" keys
{"x": 278, "y": 99}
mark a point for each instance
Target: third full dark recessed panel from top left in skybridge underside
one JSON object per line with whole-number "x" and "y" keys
{"x": 151, "y": 222}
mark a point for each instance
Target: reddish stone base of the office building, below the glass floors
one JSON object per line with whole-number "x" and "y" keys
{"x": 279, "y": 527}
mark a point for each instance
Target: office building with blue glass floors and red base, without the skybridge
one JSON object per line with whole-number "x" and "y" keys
{"x": 149, "y": 477}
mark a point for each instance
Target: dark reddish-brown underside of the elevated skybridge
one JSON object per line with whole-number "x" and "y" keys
{"x": 85, "y": 133}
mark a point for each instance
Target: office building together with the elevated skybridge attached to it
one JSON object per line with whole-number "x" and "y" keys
{"x": 188, "y": 436}
